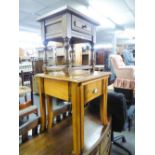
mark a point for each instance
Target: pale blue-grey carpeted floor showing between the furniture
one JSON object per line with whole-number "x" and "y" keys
{"x": 130, "y": 136}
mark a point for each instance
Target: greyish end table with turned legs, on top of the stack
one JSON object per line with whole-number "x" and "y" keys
{"x": 69, "y": 27}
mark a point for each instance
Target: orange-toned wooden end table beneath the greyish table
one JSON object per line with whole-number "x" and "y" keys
{"x": 79, "y": 88}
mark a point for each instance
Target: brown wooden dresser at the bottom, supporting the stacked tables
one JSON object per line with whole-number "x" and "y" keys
{"x": 58, "y": 140}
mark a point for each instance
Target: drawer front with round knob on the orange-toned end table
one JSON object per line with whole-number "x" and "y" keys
{"x": 92, "y": 90}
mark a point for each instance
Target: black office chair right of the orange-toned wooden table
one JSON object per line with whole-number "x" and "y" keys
{"x": 117, "y": 108}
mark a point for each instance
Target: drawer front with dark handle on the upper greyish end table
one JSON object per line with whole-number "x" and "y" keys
{"x": 81, "y": 25}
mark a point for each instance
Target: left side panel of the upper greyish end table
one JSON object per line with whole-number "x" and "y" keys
{"x": 53, "y": 27}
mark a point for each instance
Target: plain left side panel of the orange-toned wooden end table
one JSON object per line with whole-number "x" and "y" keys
{"x": 56, "y": 88}
